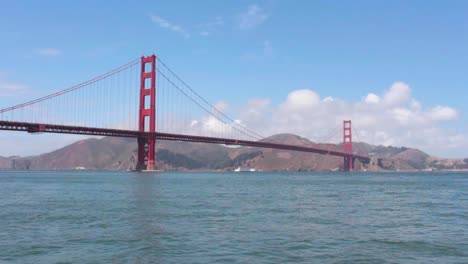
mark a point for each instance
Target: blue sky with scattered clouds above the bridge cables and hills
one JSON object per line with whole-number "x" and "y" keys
{"x": 260, "y": 54}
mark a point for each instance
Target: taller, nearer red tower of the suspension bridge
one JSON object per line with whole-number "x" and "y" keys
{"x": 147, "y": 115}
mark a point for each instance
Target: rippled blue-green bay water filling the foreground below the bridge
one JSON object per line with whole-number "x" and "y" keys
{"x": 118, "y": 217}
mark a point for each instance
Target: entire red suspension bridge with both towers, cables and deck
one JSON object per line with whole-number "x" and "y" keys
{"x": 146, "y": 100}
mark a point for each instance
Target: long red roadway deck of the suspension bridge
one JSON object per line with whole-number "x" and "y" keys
{"x": 49, "y": 128}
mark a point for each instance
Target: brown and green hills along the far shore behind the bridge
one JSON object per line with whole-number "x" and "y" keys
{"x": 120, "y": 154}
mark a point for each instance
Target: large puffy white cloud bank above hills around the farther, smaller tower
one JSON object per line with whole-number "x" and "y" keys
{"x": 389, "y": 118}
